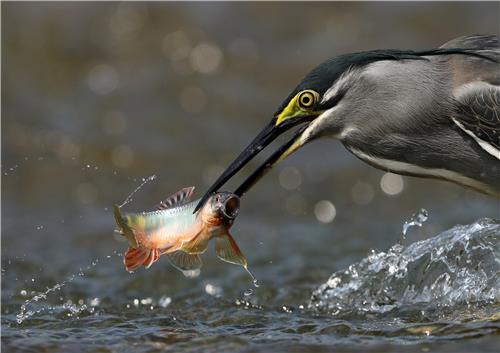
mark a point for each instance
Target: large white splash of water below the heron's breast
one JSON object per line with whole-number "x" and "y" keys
{"x": 448, "y": 273}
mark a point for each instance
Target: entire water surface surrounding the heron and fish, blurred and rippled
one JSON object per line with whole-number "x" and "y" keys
{"x": 97, "y": 97}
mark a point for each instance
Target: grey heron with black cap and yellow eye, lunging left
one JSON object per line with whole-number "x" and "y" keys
{"x": 428, "y": 113}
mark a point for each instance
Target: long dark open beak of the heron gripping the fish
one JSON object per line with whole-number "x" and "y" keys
{"x": 264, "y": 138}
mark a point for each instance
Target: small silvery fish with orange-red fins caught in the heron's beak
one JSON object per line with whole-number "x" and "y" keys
{"x": 173, "y": 230}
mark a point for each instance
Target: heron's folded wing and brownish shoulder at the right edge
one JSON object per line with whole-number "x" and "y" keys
{"x": 476, "y": 90}
